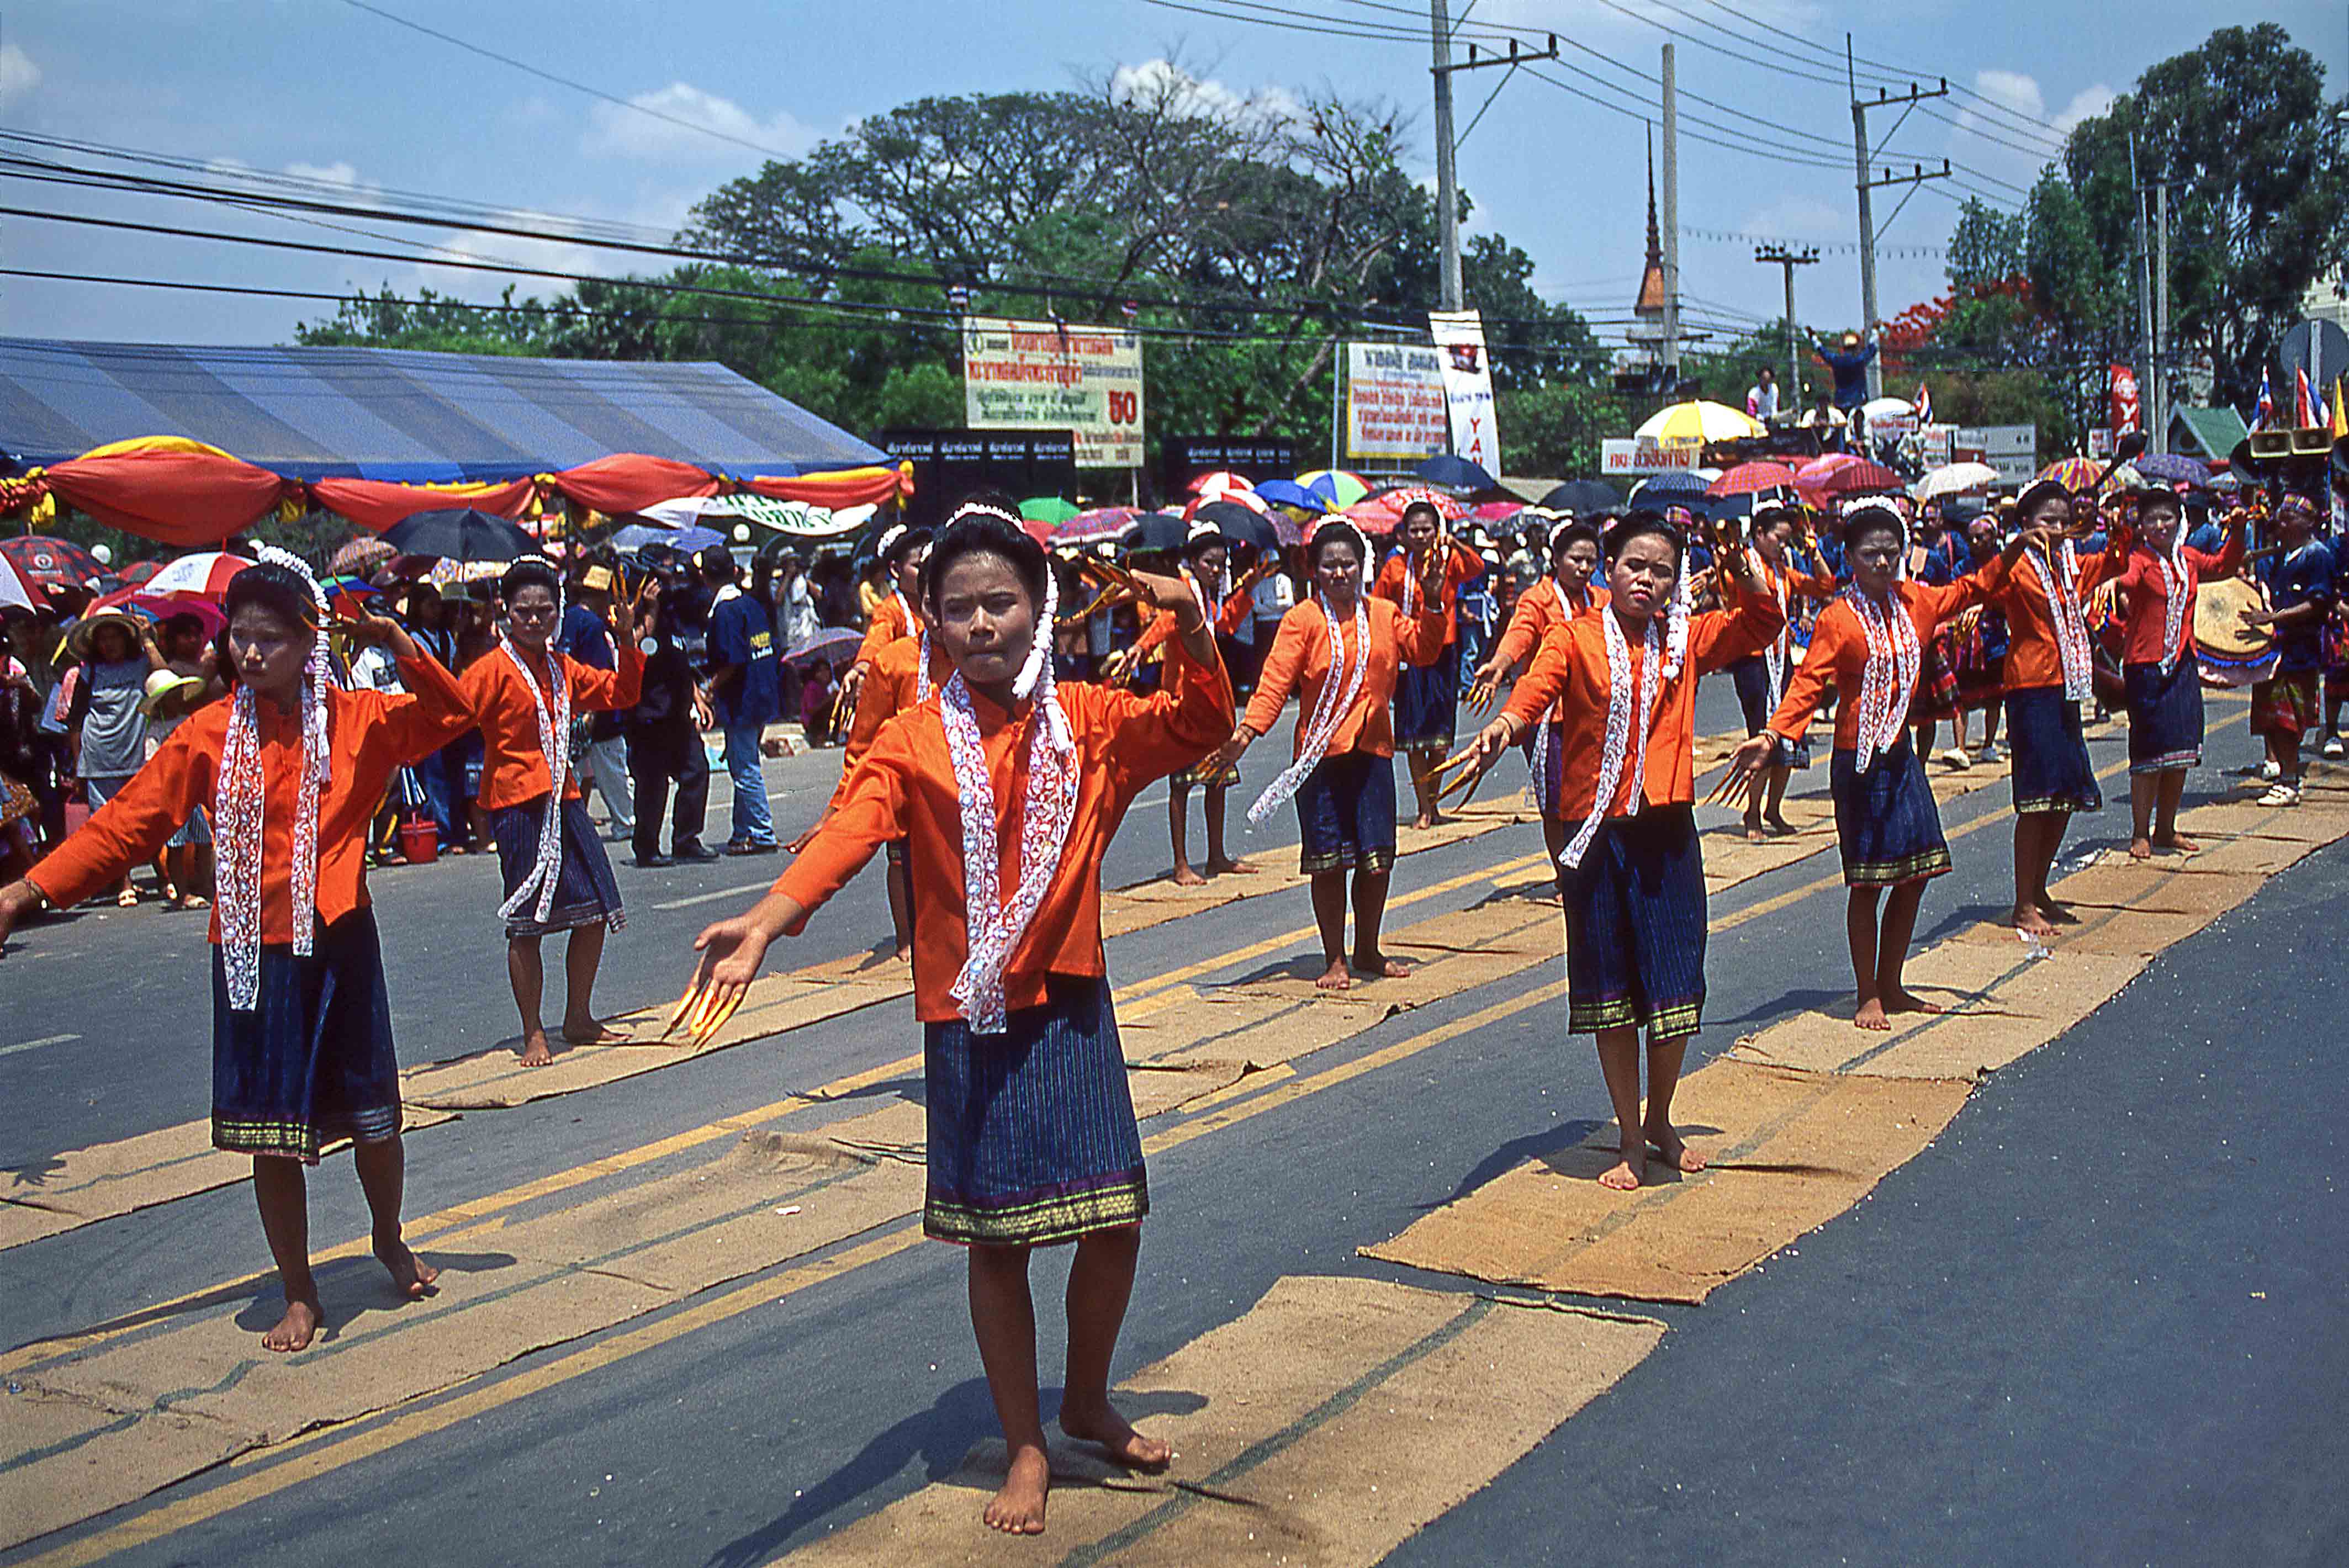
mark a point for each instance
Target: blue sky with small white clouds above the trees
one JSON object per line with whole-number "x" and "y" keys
{"x": 328, "y": 90}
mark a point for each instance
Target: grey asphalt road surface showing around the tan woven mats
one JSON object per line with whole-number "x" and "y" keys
{"x": 2099, "y": 1320}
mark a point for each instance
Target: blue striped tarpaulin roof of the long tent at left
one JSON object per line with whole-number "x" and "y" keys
{"x": 403, "y": 414}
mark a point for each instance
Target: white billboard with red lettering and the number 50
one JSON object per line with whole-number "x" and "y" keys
{"x": 1044, "y": 377}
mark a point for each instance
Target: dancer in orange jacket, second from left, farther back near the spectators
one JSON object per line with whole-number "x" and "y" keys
{"x": 556, "y": 872}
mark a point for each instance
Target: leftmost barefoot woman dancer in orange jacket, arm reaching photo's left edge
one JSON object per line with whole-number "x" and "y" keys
{"x": 292, "y": 769}
